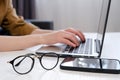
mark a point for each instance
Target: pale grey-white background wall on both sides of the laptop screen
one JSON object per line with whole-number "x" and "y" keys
{"x": 80, "y": 14}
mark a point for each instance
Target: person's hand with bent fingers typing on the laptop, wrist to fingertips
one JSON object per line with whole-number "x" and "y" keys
{"x": 67, "y": 36}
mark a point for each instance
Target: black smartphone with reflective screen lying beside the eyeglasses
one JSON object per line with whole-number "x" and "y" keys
{"x": 99, "y": 65}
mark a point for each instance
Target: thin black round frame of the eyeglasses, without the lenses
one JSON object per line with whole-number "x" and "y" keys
{"x": 39, "y": 56}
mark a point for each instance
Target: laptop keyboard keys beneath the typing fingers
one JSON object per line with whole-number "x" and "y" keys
{"x": 83, "y": 48}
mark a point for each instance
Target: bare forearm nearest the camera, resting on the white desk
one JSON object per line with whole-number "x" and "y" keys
{"x": 8, "y": 43}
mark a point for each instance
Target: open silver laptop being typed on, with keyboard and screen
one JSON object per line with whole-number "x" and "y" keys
{"x": 92, "y": 46}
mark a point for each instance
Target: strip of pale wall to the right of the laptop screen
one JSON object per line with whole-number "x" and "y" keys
{"x": 114, "y": 17}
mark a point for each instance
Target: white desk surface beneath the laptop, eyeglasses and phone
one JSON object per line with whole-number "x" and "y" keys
{"x": 111, "y": 46}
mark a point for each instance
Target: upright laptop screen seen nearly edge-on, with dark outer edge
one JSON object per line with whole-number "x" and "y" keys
{"x": 103, "y": 22}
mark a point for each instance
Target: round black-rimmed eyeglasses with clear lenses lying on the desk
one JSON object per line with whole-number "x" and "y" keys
{"x": 24, "y": 64}
